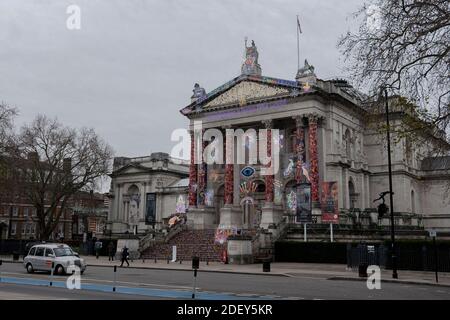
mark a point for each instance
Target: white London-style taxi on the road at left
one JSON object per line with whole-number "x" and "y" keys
{"x": 41, "y": 256}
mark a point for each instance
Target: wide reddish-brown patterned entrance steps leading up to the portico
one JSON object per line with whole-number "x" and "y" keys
{"x": 189, "y": 243}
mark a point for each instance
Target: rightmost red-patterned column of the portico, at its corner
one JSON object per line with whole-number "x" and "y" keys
{"x": 313, "y": 158}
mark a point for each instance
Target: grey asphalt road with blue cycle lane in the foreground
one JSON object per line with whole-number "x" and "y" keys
{"x": 97, "y": 283}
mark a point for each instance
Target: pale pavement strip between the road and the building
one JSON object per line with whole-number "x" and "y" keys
{"x": 280, "y": 269}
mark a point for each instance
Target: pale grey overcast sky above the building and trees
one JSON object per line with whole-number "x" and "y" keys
{"x": 133, "y": 64}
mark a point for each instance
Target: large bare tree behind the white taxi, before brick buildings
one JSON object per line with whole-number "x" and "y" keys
{"x": 55, "y": 162}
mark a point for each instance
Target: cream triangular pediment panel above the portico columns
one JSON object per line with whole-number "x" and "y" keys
{"x": 246, "y": 91}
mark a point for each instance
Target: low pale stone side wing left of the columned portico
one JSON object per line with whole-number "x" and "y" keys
{"x": 145, "y": 192}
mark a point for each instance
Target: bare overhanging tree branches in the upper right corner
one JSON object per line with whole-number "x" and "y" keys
{"x": 404, "y": 45}
